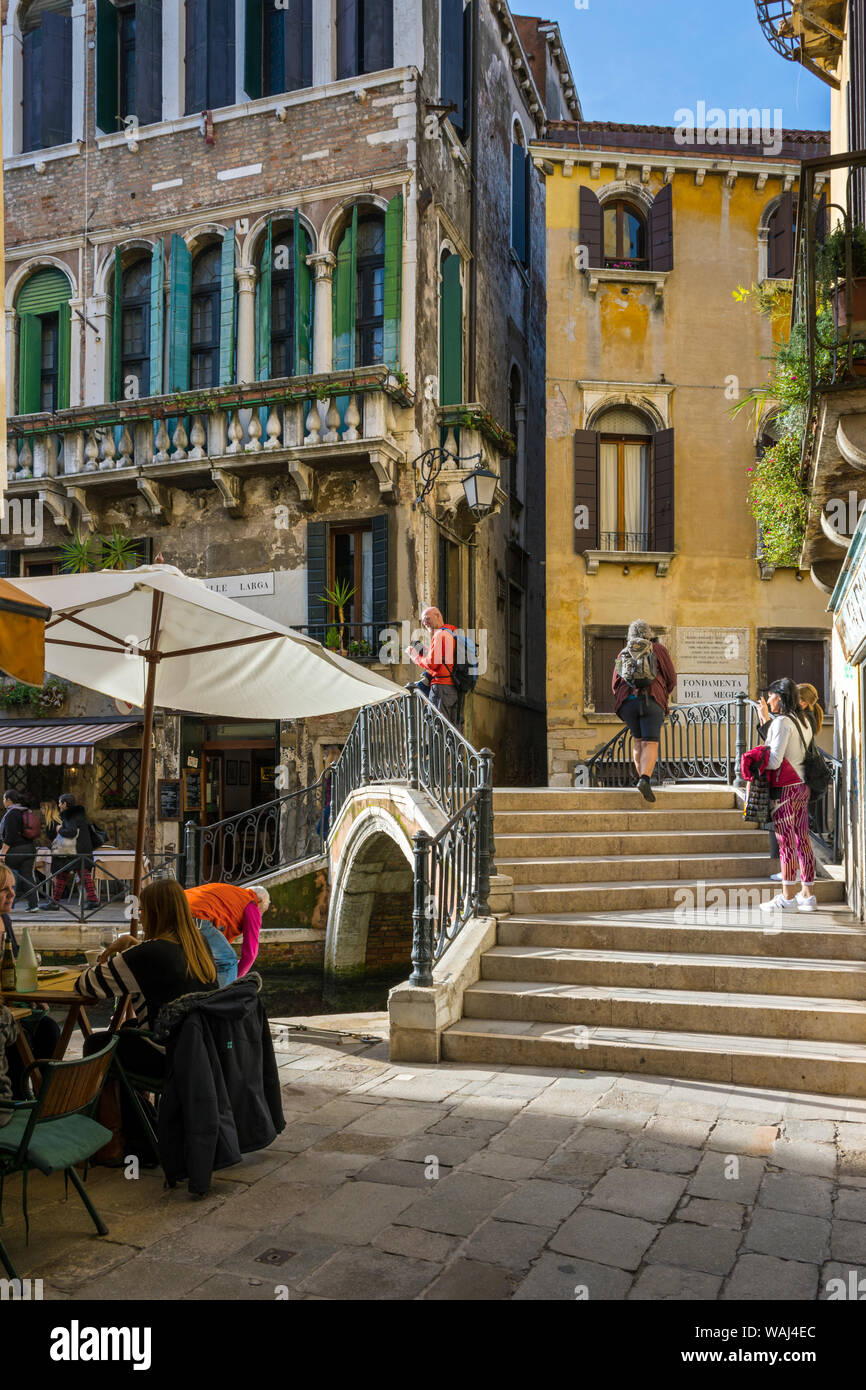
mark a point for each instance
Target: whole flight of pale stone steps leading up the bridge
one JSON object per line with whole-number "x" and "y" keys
{"x": 636, "y": 945}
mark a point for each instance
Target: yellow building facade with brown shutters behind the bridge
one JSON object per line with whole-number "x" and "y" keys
{"x": 647, "y": 469}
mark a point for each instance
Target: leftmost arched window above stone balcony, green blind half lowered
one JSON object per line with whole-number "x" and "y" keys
{"x": 44, "y": 343}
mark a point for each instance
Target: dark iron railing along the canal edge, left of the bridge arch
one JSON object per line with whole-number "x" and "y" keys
{"x": 255, "y": 843}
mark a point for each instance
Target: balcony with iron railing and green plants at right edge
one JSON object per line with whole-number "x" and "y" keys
{"x": 829, "y": 322}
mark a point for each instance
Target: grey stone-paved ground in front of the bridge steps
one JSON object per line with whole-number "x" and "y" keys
{"x": 462, "y": 1182}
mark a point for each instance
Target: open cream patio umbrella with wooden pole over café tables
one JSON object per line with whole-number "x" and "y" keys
{"x": 156, "y": 637}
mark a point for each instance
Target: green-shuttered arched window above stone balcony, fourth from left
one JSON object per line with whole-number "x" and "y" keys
{"x": 284, "y": 306}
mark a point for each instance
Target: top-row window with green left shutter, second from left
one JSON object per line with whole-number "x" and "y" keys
{"x": 129, "y": 62}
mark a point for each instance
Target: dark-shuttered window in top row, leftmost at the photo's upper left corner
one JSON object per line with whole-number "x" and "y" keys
{"x": 47, "y": 51}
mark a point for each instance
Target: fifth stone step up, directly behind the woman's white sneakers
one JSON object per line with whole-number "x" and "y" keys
{"x": 629, "y": 896}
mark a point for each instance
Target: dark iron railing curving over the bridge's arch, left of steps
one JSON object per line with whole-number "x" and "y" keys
{"x": 405, "y": 740}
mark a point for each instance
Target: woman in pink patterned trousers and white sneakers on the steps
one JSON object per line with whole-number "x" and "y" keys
{"x": 789, "y": 739}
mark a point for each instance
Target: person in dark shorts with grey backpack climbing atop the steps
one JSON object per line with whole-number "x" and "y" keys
{"x": 644, "y": 680}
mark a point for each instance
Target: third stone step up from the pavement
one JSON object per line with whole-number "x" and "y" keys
{"x": 679, "y": 971}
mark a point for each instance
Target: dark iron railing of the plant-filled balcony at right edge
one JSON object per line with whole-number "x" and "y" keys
{"x": 828, "y": 305}
